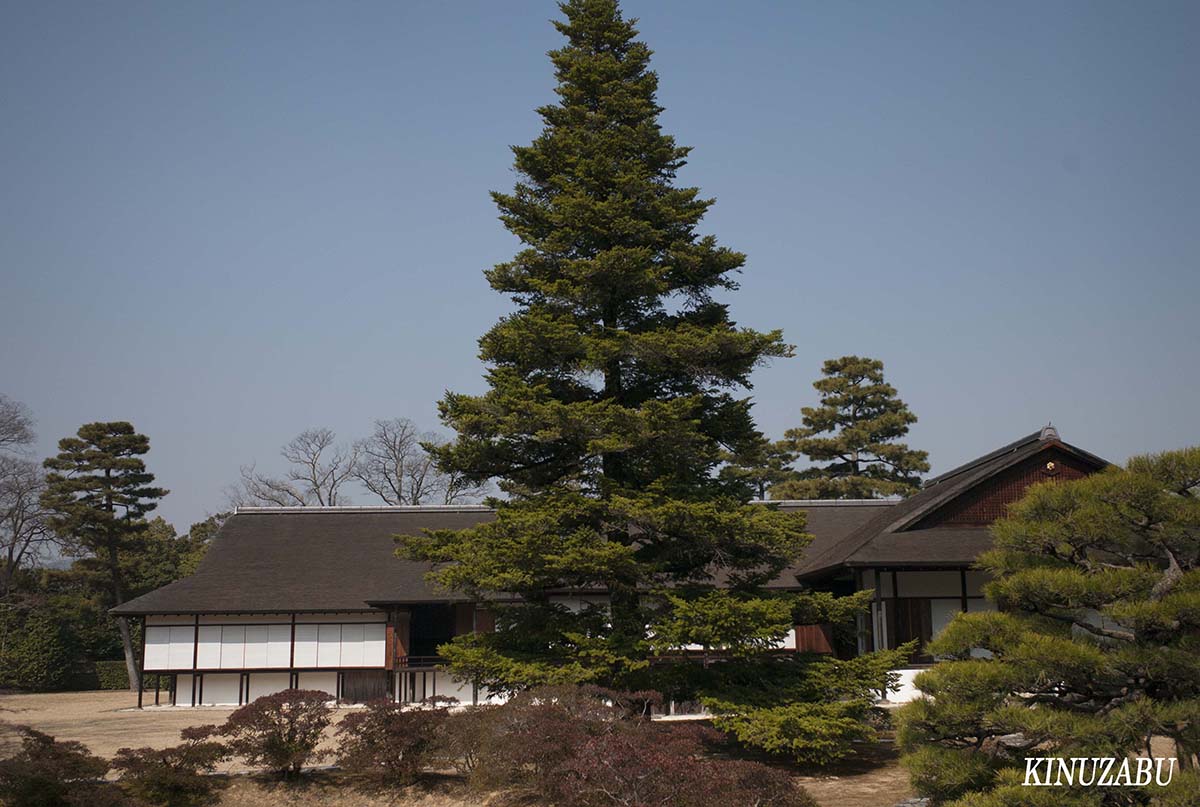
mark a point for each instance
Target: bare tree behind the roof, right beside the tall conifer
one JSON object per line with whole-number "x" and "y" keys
{"x": 394, "y": 465}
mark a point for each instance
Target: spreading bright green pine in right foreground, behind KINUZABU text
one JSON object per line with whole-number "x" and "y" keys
{"x": 1096, "y": 650}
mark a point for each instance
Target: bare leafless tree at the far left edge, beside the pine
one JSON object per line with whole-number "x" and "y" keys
{"x": 25, "y": 531}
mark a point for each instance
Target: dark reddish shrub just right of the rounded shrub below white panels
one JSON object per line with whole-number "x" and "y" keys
{"x": 387, "y": 744}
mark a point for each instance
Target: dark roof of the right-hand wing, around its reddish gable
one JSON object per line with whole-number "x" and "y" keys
{"x": 893, "y": 536}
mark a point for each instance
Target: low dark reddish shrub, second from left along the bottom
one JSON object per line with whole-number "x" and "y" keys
{"x": 177, "y": 776}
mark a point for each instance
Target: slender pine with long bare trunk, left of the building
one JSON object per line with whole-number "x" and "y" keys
{"x": 100, "y": 492}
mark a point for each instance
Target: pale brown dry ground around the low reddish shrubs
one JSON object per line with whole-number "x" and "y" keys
{"x": 107, "y": 721}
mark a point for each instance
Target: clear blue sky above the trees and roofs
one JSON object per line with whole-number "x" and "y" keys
{"x": 227, "y": 223}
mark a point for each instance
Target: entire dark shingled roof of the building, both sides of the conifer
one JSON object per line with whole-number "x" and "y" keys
{"x": 295, "y": 560}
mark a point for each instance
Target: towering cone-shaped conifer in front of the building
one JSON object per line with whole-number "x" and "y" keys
{"x": 611, "y": 403}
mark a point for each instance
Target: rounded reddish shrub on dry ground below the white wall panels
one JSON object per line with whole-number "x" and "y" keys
{"x": 280, "y": 732}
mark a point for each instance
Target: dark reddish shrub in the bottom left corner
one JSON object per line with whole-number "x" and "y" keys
{"x": 51, "y": 774}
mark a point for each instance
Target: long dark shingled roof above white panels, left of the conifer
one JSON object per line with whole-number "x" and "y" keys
{"x": 291, "y": 560}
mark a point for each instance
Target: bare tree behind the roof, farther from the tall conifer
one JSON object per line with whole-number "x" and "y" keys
{"x": 317, "y": 470}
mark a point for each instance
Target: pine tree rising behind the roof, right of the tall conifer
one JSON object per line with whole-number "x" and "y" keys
{"x": 865, "y": 421}
